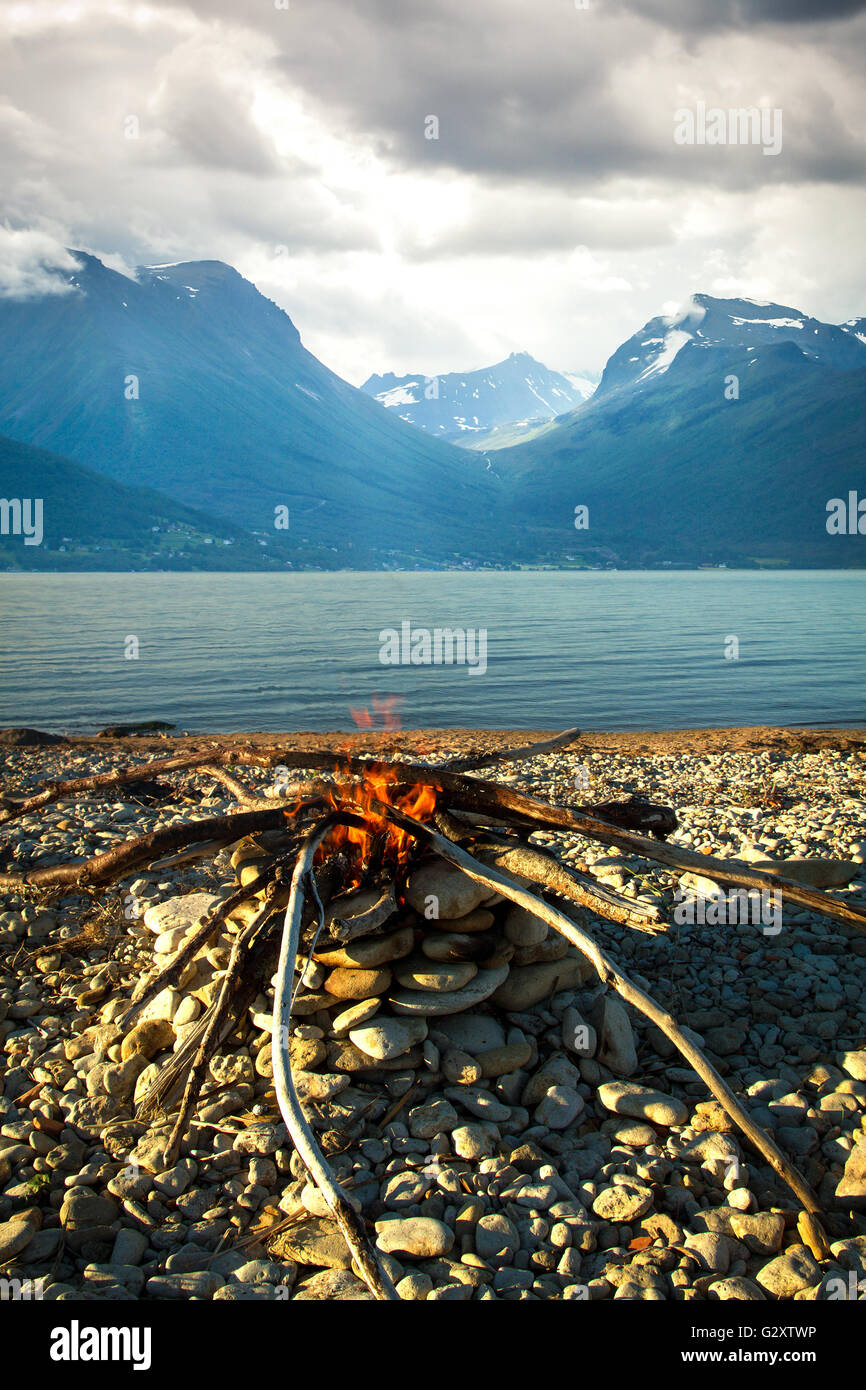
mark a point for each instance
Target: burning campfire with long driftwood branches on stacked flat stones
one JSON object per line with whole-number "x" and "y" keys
{"x": 391, "y": 893}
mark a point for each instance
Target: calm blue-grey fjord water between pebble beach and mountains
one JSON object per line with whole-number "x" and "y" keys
{"x": 610, "y": 650}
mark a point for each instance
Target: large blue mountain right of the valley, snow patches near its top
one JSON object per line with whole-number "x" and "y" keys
{"x": 671, "y": 462}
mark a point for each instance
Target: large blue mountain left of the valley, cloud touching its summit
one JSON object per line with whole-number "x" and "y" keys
{"x": 188, "y": 380}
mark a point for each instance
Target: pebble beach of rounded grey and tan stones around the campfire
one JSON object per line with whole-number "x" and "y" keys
{"x": 526, "y": 1149}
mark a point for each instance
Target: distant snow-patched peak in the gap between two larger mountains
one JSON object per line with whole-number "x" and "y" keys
{"x": 466, "y": 408}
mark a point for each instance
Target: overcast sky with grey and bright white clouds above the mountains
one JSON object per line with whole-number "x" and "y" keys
{"x": 554, "y": 213}
